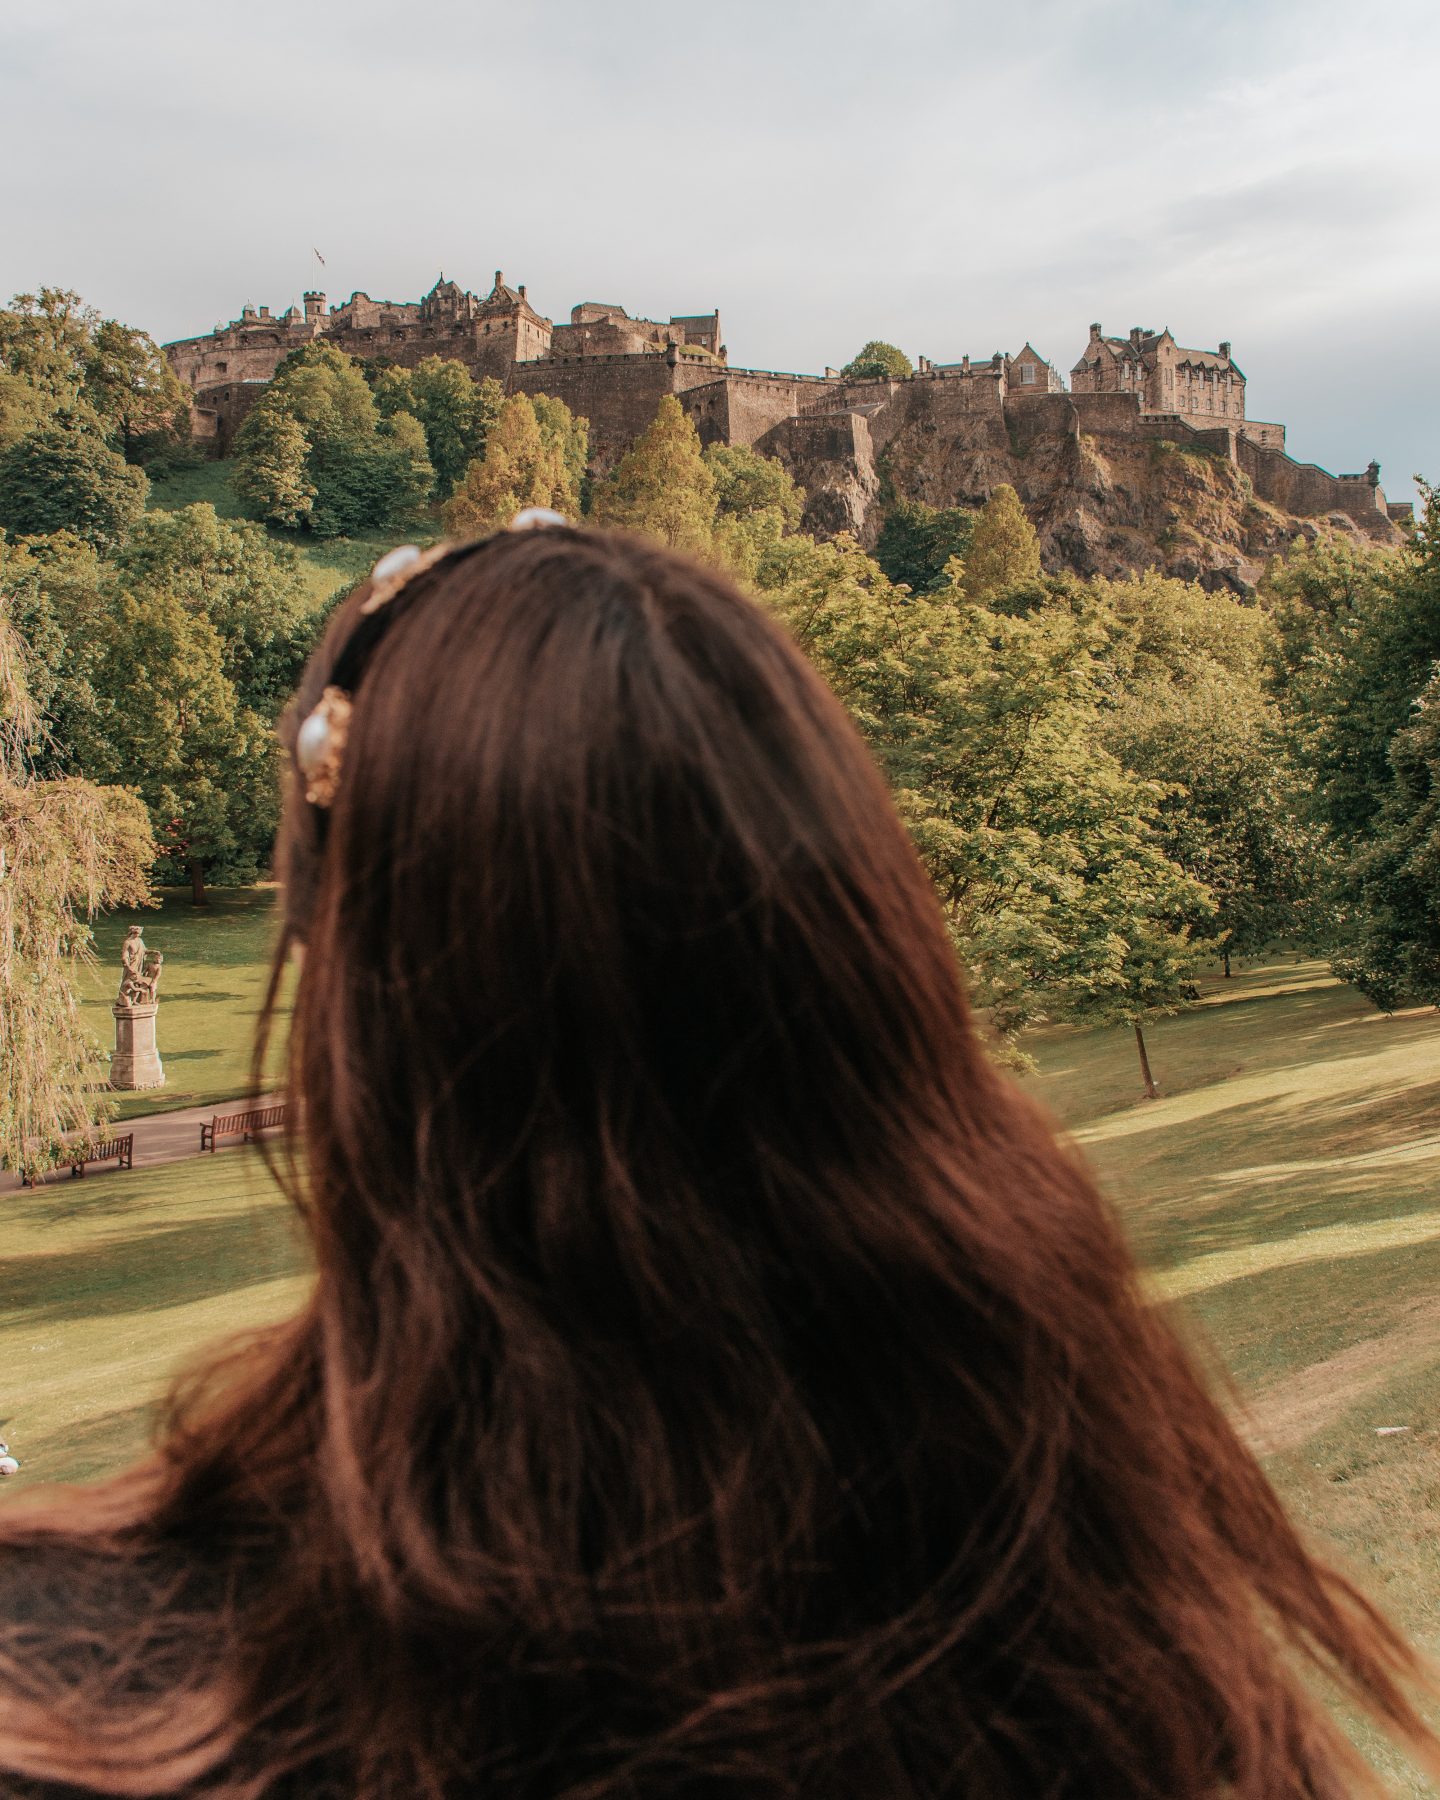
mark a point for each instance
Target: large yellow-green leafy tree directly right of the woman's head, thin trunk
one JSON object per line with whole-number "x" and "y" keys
{"x": 1047, "y": 852}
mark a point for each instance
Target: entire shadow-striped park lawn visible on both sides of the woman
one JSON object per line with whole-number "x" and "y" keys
{"x": 1282, "y": 1196}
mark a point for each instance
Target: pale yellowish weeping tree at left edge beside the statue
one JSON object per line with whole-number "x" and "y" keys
{"x": 67, "y": 849}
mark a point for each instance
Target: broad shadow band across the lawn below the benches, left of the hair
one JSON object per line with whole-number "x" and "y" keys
{"x": 154, "y": 1272}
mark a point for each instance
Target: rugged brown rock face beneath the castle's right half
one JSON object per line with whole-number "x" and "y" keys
{"x": 1104, "y": 501}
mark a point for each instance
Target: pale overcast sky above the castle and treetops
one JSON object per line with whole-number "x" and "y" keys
{"x": 953, "y": 177}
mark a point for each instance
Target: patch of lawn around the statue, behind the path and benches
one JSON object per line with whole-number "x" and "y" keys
{"x": 217, "y": 967}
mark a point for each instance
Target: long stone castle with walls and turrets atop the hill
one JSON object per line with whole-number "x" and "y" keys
{"x": 964, "y": 417}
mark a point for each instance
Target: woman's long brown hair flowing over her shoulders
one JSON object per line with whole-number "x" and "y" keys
{"x": 717, "y": 1380}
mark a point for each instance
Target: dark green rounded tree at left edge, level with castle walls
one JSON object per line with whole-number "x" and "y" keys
{"x": 62, "y": 480}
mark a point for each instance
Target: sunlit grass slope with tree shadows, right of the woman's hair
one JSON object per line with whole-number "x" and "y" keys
{"x": 1282, "y": 1194}
